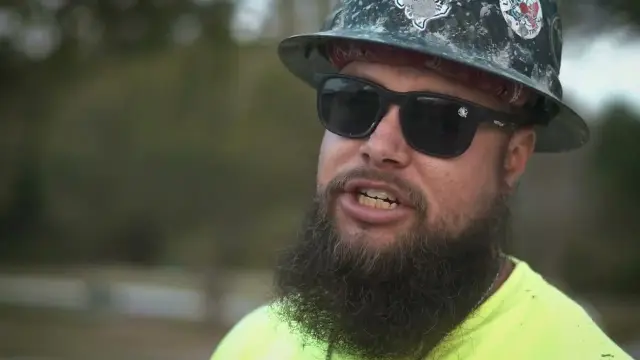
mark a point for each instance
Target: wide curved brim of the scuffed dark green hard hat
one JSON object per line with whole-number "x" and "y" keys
{"x": 299, "y": 54}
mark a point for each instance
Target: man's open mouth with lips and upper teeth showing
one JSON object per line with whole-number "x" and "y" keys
{"x": 373, "y": 202}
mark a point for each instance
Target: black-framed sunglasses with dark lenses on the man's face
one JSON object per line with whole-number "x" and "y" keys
{"x": 433, "y": 124}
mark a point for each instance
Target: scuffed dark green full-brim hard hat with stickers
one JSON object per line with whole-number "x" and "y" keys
{"x": 515, "y": 40}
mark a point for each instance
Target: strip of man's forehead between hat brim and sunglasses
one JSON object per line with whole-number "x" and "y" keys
{"x": 405, "y": 78}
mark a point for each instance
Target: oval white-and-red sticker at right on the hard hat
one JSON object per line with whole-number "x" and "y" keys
{"x": 523, "y": 16}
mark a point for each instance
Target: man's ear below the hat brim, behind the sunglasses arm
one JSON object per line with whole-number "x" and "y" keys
{"x": 519, "y": 150}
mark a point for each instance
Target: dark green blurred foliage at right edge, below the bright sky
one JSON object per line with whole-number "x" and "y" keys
{"x": 612, "y": 263}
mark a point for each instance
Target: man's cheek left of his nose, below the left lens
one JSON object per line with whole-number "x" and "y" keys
{"x": 336, "y": 153}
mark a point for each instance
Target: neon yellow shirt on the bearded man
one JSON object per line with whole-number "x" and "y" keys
{"x": 526, "y": 319}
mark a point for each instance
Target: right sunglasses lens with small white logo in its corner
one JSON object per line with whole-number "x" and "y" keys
{"x": 438, "y": 127}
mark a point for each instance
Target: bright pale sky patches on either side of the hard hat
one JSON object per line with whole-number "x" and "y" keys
{"x": 594, "y": 72}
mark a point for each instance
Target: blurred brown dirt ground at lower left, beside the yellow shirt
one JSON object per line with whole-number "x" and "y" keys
{"x": 59, "y": 335}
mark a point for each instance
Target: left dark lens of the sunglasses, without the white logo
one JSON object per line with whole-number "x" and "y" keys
{"x": 348, "y": 107}
